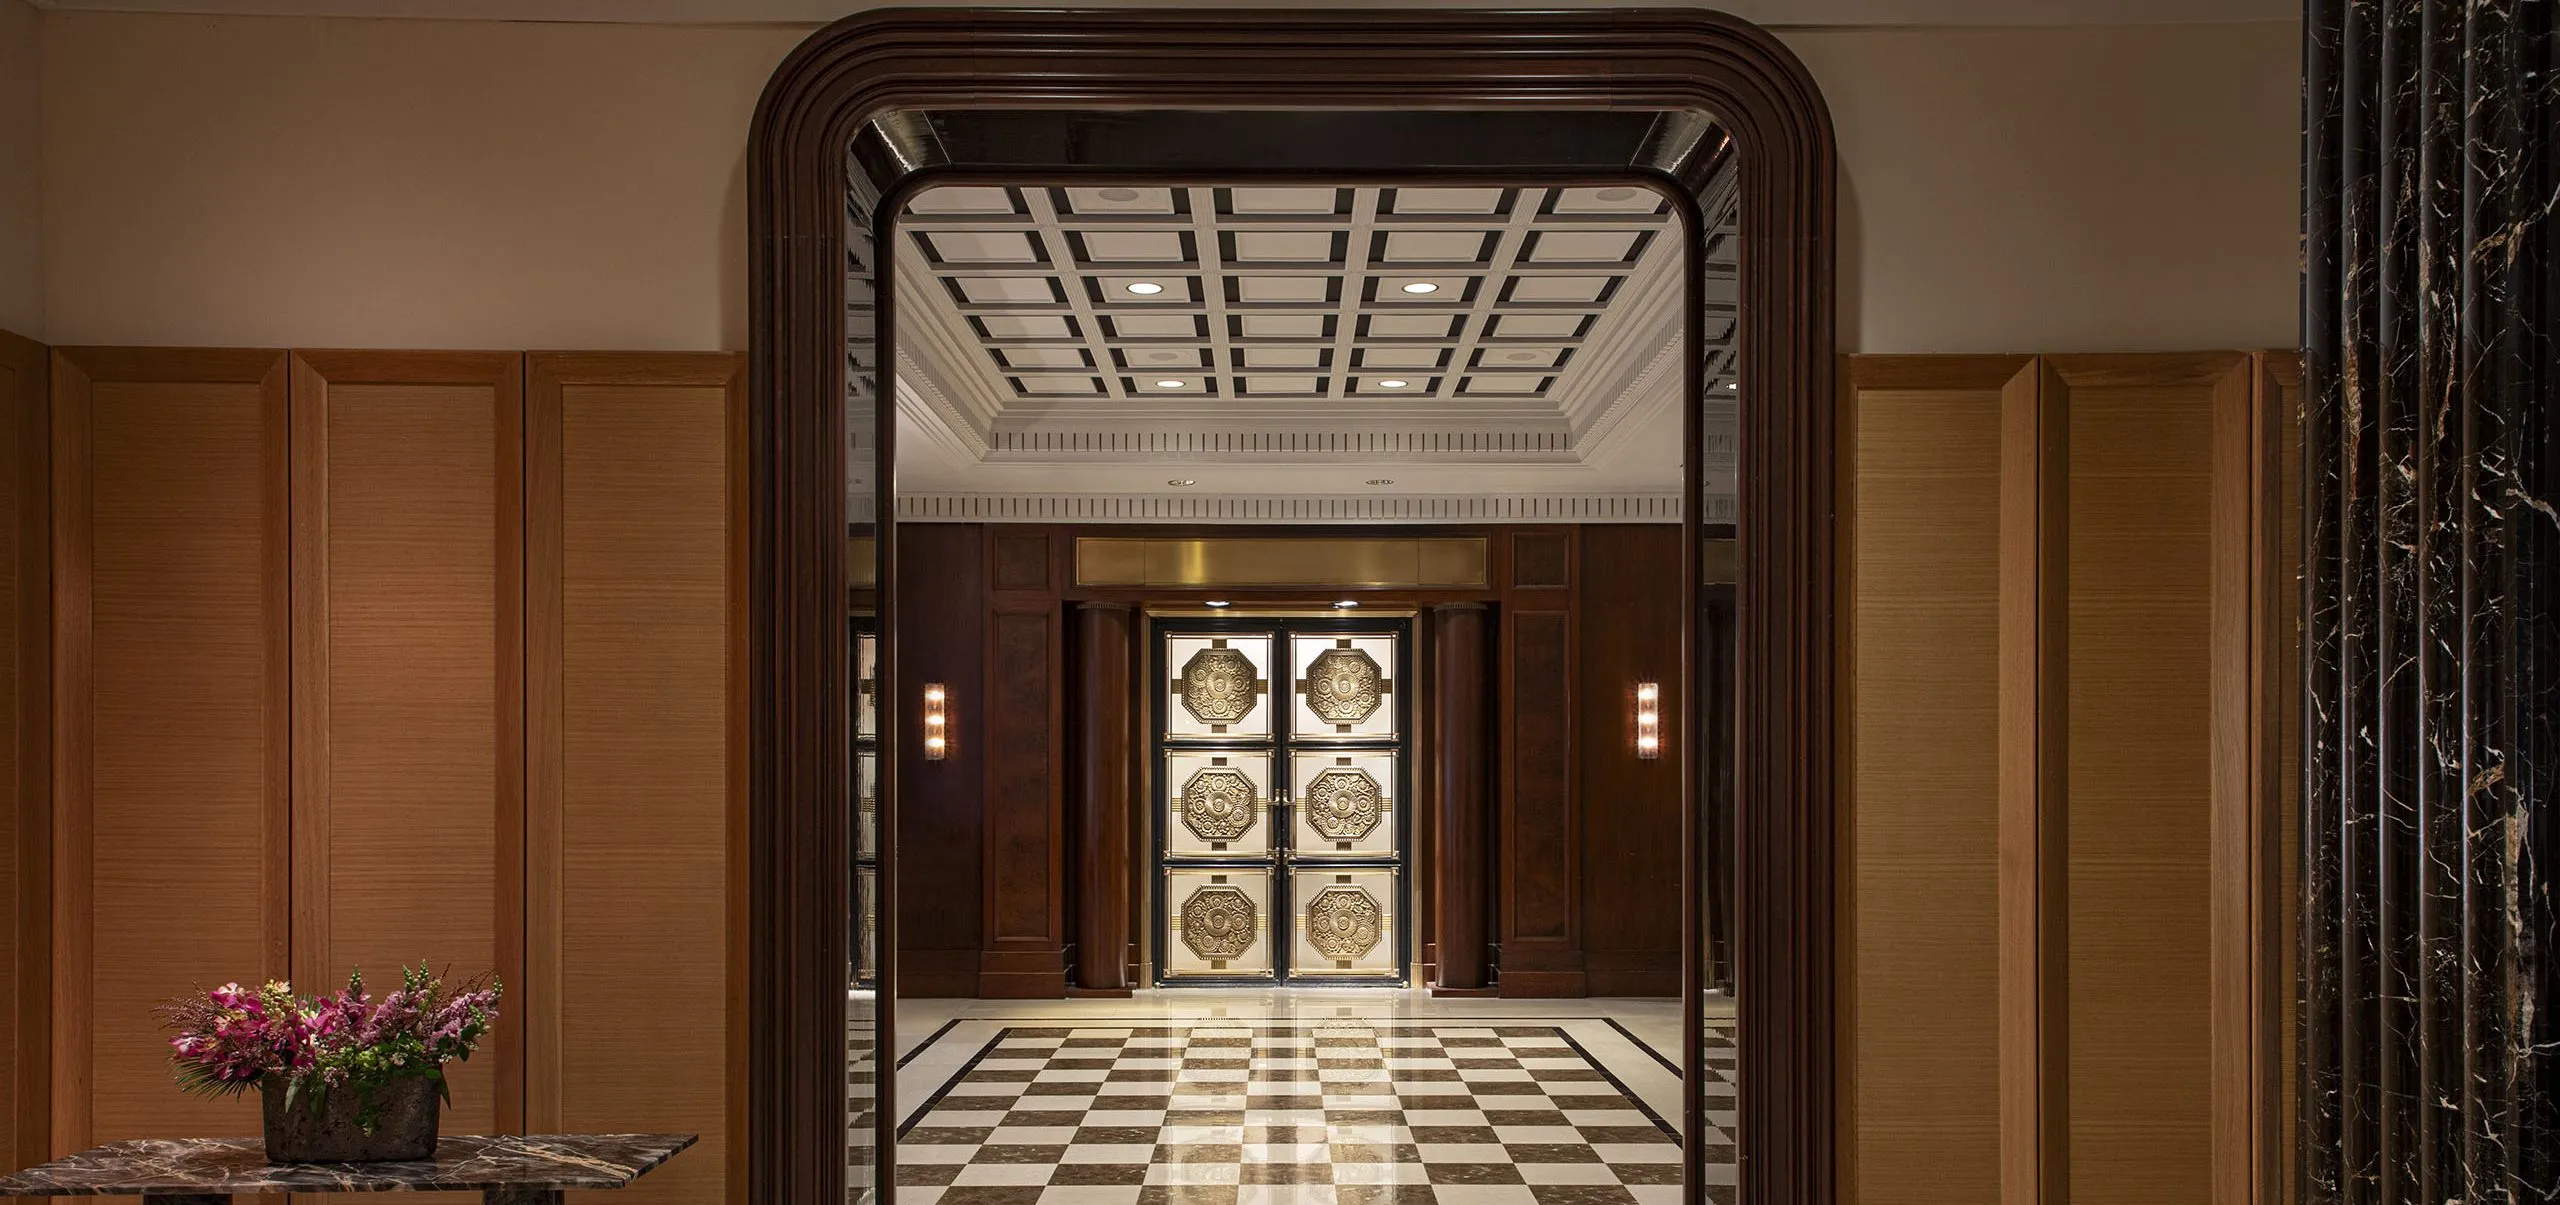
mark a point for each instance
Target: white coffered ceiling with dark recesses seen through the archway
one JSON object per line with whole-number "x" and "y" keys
{"x": 1302, "y": 352}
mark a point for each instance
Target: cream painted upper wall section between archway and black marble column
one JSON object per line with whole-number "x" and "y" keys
{"x": 2067, "y": 188}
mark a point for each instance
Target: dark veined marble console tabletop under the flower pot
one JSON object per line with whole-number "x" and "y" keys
{"x": 506, "y": 1170}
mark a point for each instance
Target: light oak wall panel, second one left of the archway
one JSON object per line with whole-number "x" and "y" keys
{"x": 408, "y": 684}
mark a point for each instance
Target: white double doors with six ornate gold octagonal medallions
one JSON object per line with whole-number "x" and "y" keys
{"x": 1281, "y": 776}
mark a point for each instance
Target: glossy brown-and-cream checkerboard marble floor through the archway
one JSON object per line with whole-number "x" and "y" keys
{"x": 1294, "y": 1109}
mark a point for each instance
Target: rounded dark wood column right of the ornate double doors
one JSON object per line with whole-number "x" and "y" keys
{"x": 1460, "y": 700}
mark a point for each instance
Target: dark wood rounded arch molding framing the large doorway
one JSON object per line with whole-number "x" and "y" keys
{"x": 879, "y": 63}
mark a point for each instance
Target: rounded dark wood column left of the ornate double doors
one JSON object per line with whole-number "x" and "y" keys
{"x": 1102, "y": 797}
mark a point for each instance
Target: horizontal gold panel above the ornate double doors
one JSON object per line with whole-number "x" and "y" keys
{"x": 1440, "y": 562}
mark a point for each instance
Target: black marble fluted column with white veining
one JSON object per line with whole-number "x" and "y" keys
{"x": 2431, "y": 577}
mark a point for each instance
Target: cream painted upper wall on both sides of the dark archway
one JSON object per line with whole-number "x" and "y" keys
{"x": 506, "y": 185}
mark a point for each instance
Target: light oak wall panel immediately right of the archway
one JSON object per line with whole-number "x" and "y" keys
{"x": 1924, "y": 615}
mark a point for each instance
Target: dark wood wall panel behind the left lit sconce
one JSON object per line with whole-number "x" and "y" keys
{"x": 941, "y": 805}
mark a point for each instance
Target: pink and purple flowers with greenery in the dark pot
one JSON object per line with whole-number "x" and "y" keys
{"x": 232, "y": 1040}
